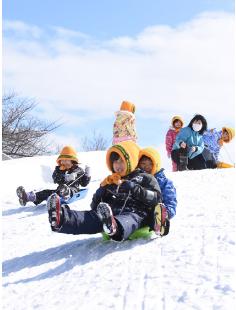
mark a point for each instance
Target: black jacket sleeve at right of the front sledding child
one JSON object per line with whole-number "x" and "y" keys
{"x": 148, "y": 192}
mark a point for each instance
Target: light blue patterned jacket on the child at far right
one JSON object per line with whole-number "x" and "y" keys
{"x": 210, "y": 138}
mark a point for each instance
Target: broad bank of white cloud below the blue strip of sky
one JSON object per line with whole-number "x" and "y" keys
{"x": 163, "y": 70}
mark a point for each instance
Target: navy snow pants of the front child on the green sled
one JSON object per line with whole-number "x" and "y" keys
{"x": 87, "y": 222}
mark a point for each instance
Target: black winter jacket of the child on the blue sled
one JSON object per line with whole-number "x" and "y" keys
{"x": 59, "y": 177}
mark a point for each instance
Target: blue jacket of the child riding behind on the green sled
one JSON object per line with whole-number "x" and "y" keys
{"x": 168, "y": 192}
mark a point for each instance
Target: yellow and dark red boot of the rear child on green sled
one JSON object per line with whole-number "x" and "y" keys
{"x": 161, "y": 221}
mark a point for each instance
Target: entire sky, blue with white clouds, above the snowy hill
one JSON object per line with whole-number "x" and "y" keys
{"x": 80, "y": 59}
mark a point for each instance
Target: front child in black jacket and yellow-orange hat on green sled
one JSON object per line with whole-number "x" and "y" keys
{"x": 122, "y": 204}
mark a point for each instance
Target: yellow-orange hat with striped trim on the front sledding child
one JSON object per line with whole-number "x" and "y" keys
{"x": 128, "y": 151}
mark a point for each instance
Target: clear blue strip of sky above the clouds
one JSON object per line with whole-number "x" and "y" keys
{"x": 104, "y": 19}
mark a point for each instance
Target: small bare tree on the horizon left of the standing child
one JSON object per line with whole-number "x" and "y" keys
{"x": 96, "y": 143}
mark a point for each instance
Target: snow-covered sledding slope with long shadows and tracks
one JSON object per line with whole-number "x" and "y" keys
{"x": 191, "y": 268}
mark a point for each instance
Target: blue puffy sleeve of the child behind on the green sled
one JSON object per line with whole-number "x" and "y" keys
{"x": 169, "y": 197}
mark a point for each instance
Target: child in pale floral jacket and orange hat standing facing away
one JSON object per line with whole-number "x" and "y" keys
{"x": 124, "y": 126}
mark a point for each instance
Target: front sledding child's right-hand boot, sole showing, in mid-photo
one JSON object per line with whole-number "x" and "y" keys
{"x": 104, "y": 212}
